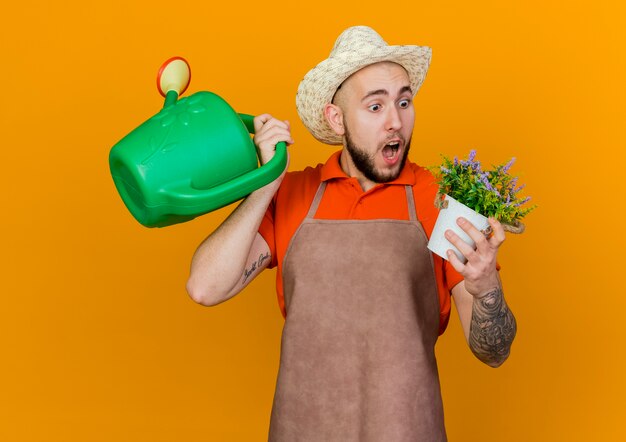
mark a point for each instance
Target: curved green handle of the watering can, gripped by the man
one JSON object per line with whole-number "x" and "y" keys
{"x": 201, "y": 201}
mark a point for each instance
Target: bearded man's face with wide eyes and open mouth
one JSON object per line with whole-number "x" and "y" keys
{"x": 378, "y": 116}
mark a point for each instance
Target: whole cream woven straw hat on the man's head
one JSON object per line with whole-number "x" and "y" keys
{"x": 356, "y": 47}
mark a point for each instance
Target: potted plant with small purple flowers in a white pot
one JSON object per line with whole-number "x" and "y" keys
{"x": 469, "y": 192}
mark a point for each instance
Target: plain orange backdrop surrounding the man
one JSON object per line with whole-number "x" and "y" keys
{"x": 98, "y": 339}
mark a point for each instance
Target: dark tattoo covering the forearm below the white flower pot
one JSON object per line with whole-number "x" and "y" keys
{"x": 492, "y": 329}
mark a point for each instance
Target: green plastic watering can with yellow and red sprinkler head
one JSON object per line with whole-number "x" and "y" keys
{"x": 195, "y": 156}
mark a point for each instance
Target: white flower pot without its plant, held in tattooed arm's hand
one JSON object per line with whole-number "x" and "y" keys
{"x": 449, "y": 212}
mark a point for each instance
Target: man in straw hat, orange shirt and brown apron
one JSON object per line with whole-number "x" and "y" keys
{"x": 364, "y": 299}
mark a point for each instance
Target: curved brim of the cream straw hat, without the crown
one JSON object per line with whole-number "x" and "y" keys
{"x": 320, "y": 84}
